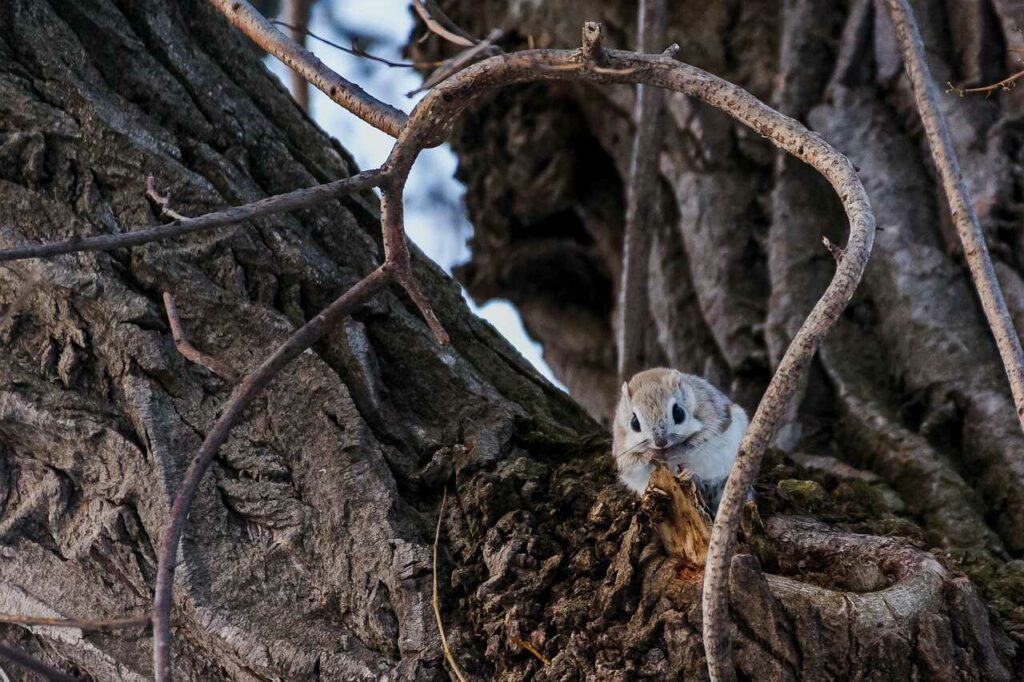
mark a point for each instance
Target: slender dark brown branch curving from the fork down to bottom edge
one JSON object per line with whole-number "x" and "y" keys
{"x": 298, "y": 343}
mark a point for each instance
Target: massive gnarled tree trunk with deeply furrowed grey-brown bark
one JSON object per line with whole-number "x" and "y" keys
{"x": 309, "y": 549}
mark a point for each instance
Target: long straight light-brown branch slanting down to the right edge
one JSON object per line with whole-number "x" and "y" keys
{"x": 944, "y": 154}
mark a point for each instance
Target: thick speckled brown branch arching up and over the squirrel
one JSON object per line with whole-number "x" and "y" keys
{"x": 618, "y": 67}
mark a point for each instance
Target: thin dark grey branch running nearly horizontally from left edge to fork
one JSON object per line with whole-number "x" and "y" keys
{"x": 292, "y": 201}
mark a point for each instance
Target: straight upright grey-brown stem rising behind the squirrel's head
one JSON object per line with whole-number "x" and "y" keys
{"x": 641, "y": 200}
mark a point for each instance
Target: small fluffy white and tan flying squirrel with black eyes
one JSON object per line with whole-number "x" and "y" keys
{"x": 681, "y": 420}
